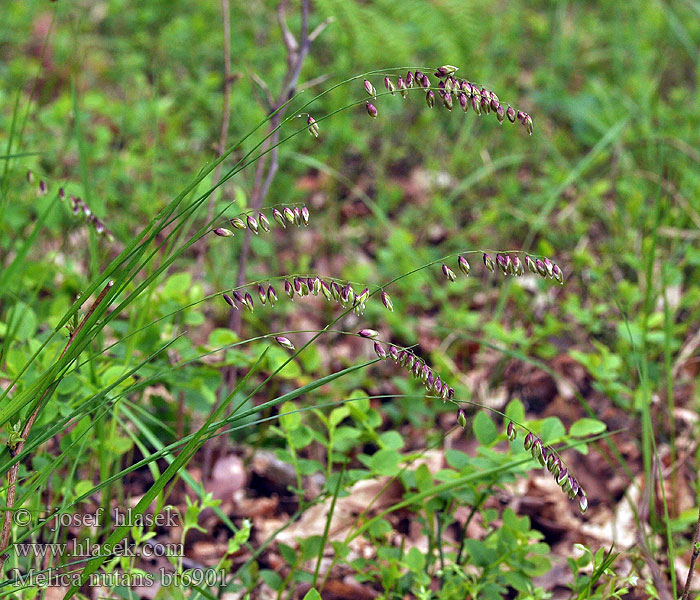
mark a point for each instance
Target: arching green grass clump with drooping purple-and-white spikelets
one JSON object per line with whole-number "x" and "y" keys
{"x": 134, "y": 276}
